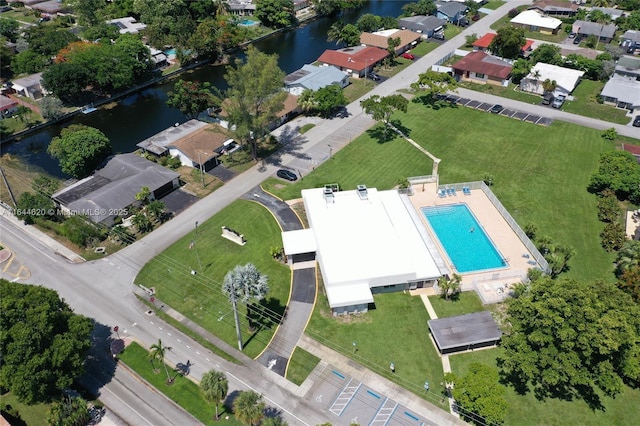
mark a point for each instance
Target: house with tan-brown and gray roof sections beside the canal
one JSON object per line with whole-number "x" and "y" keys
{"x": 195, "y": 143}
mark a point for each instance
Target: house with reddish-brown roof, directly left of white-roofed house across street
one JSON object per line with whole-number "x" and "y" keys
{"x": 480, "y": 67}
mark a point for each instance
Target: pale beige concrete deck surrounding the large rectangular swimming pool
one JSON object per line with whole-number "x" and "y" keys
{"x": 491, "y": 284}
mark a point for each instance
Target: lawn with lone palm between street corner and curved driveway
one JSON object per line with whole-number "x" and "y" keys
{"x": 199, "y": 297}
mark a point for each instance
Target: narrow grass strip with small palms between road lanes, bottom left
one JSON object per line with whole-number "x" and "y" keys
{"x": 183, "y": 391}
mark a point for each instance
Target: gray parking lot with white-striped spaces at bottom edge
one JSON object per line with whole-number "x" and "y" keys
{"x": 347, "y": 401}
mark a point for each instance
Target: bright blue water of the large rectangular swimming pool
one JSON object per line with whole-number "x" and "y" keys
{"x": 464, "y": 240}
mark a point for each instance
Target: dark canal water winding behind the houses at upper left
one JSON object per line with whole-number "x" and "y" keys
{"x": 144, "y": 114}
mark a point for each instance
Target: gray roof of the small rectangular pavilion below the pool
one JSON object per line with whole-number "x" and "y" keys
{"x": 464, "y": 330}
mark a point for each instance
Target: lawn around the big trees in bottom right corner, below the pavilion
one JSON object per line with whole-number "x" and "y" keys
{"x": 527, "y": 410}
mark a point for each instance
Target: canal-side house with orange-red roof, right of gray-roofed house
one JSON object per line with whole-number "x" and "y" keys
{"x": 355, "y": 61}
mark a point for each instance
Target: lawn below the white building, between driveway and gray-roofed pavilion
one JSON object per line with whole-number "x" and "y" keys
{"x": 395, "y": 331}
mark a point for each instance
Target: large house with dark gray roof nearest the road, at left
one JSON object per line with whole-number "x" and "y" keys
{"x": 112, "y": 189}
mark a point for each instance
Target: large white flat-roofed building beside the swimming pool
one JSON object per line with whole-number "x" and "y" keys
{"x": 365, "y": 241}
